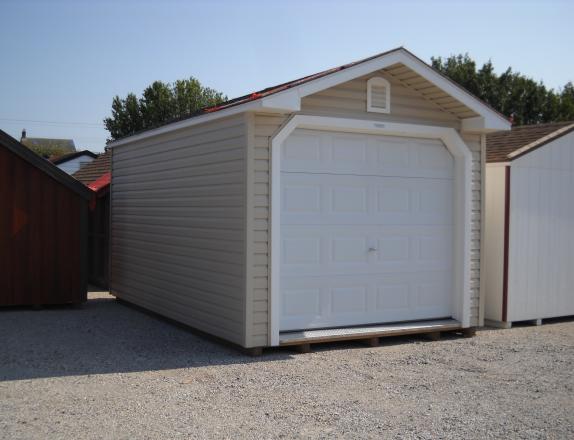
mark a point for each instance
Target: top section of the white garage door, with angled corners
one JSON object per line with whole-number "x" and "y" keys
{"x": 339, "y": 153}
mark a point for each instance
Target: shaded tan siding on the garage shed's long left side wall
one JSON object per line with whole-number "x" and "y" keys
{"x": 178, "y": 219}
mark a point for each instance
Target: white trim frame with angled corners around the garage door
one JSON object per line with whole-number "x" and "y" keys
{"x": 462, "y": 204}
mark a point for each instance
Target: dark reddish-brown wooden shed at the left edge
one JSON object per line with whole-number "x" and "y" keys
{"x": 43, "y": 230}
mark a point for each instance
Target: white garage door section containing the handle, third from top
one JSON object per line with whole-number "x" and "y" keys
{"x": 327, "y": 250}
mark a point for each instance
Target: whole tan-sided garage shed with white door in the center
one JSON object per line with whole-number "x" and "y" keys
{"x": 345, "y": 204}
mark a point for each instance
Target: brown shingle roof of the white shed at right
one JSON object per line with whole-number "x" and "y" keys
{"x": 501, "y": 144}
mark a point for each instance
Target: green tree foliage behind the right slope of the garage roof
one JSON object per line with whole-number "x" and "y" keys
{"x": 511, "y": 93}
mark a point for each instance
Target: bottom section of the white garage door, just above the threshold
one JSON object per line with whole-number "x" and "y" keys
{"x": 312, "y": 302}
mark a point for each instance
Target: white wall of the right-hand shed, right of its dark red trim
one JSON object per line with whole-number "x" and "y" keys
{"x": 541, "y": 242}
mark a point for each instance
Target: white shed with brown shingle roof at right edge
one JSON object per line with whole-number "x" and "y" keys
{"x": 530, "y": 224}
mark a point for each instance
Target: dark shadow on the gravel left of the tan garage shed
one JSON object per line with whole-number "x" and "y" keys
{"x": 105, "y": 336}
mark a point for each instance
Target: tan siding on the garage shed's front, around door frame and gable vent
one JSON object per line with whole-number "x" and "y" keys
{"x": 349, "y": 101}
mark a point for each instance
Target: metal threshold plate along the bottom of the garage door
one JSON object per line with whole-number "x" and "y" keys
{"x": 339, "y": 334}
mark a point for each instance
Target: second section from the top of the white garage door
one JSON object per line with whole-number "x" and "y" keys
{"x": 361, "y": 200}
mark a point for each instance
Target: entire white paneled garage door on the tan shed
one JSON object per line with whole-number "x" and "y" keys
{"x": 366, "y": 230}
